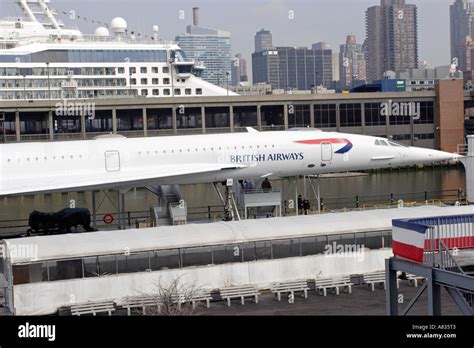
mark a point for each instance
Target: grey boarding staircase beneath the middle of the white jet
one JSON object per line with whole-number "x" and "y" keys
{"x": 172, "y": 209}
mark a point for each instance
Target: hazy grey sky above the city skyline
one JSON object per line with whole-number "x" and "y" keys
{"x": 314, "y": 20}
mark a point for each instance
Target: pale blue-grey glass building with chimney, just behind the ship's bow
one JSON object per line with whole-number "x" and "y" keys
{"x": 209, "y": 46}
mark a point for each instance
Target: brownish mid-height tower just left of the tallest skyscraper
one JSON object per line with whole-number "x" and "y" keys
{"x": 352, "y": 65}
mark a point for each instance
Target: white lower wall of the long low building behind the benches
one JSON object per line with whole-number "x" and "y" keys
{"x": 45, "y": 298}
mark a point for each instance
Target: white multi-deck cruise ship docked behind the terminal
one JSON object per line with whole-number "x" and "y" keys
{"x": 42, "y": 59}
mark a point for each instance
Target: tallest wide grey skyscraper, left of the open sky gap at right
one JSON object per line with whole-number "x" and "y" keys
{"x": 392, "y": 38}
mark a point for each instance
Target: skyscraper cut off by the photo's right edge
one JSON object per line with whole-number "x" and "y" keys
{"x": 462, "y": 30}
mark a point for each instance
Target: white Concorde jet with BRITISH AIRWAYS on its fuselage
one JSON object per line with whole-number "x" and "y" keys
{"x": 111, "y": 161}
